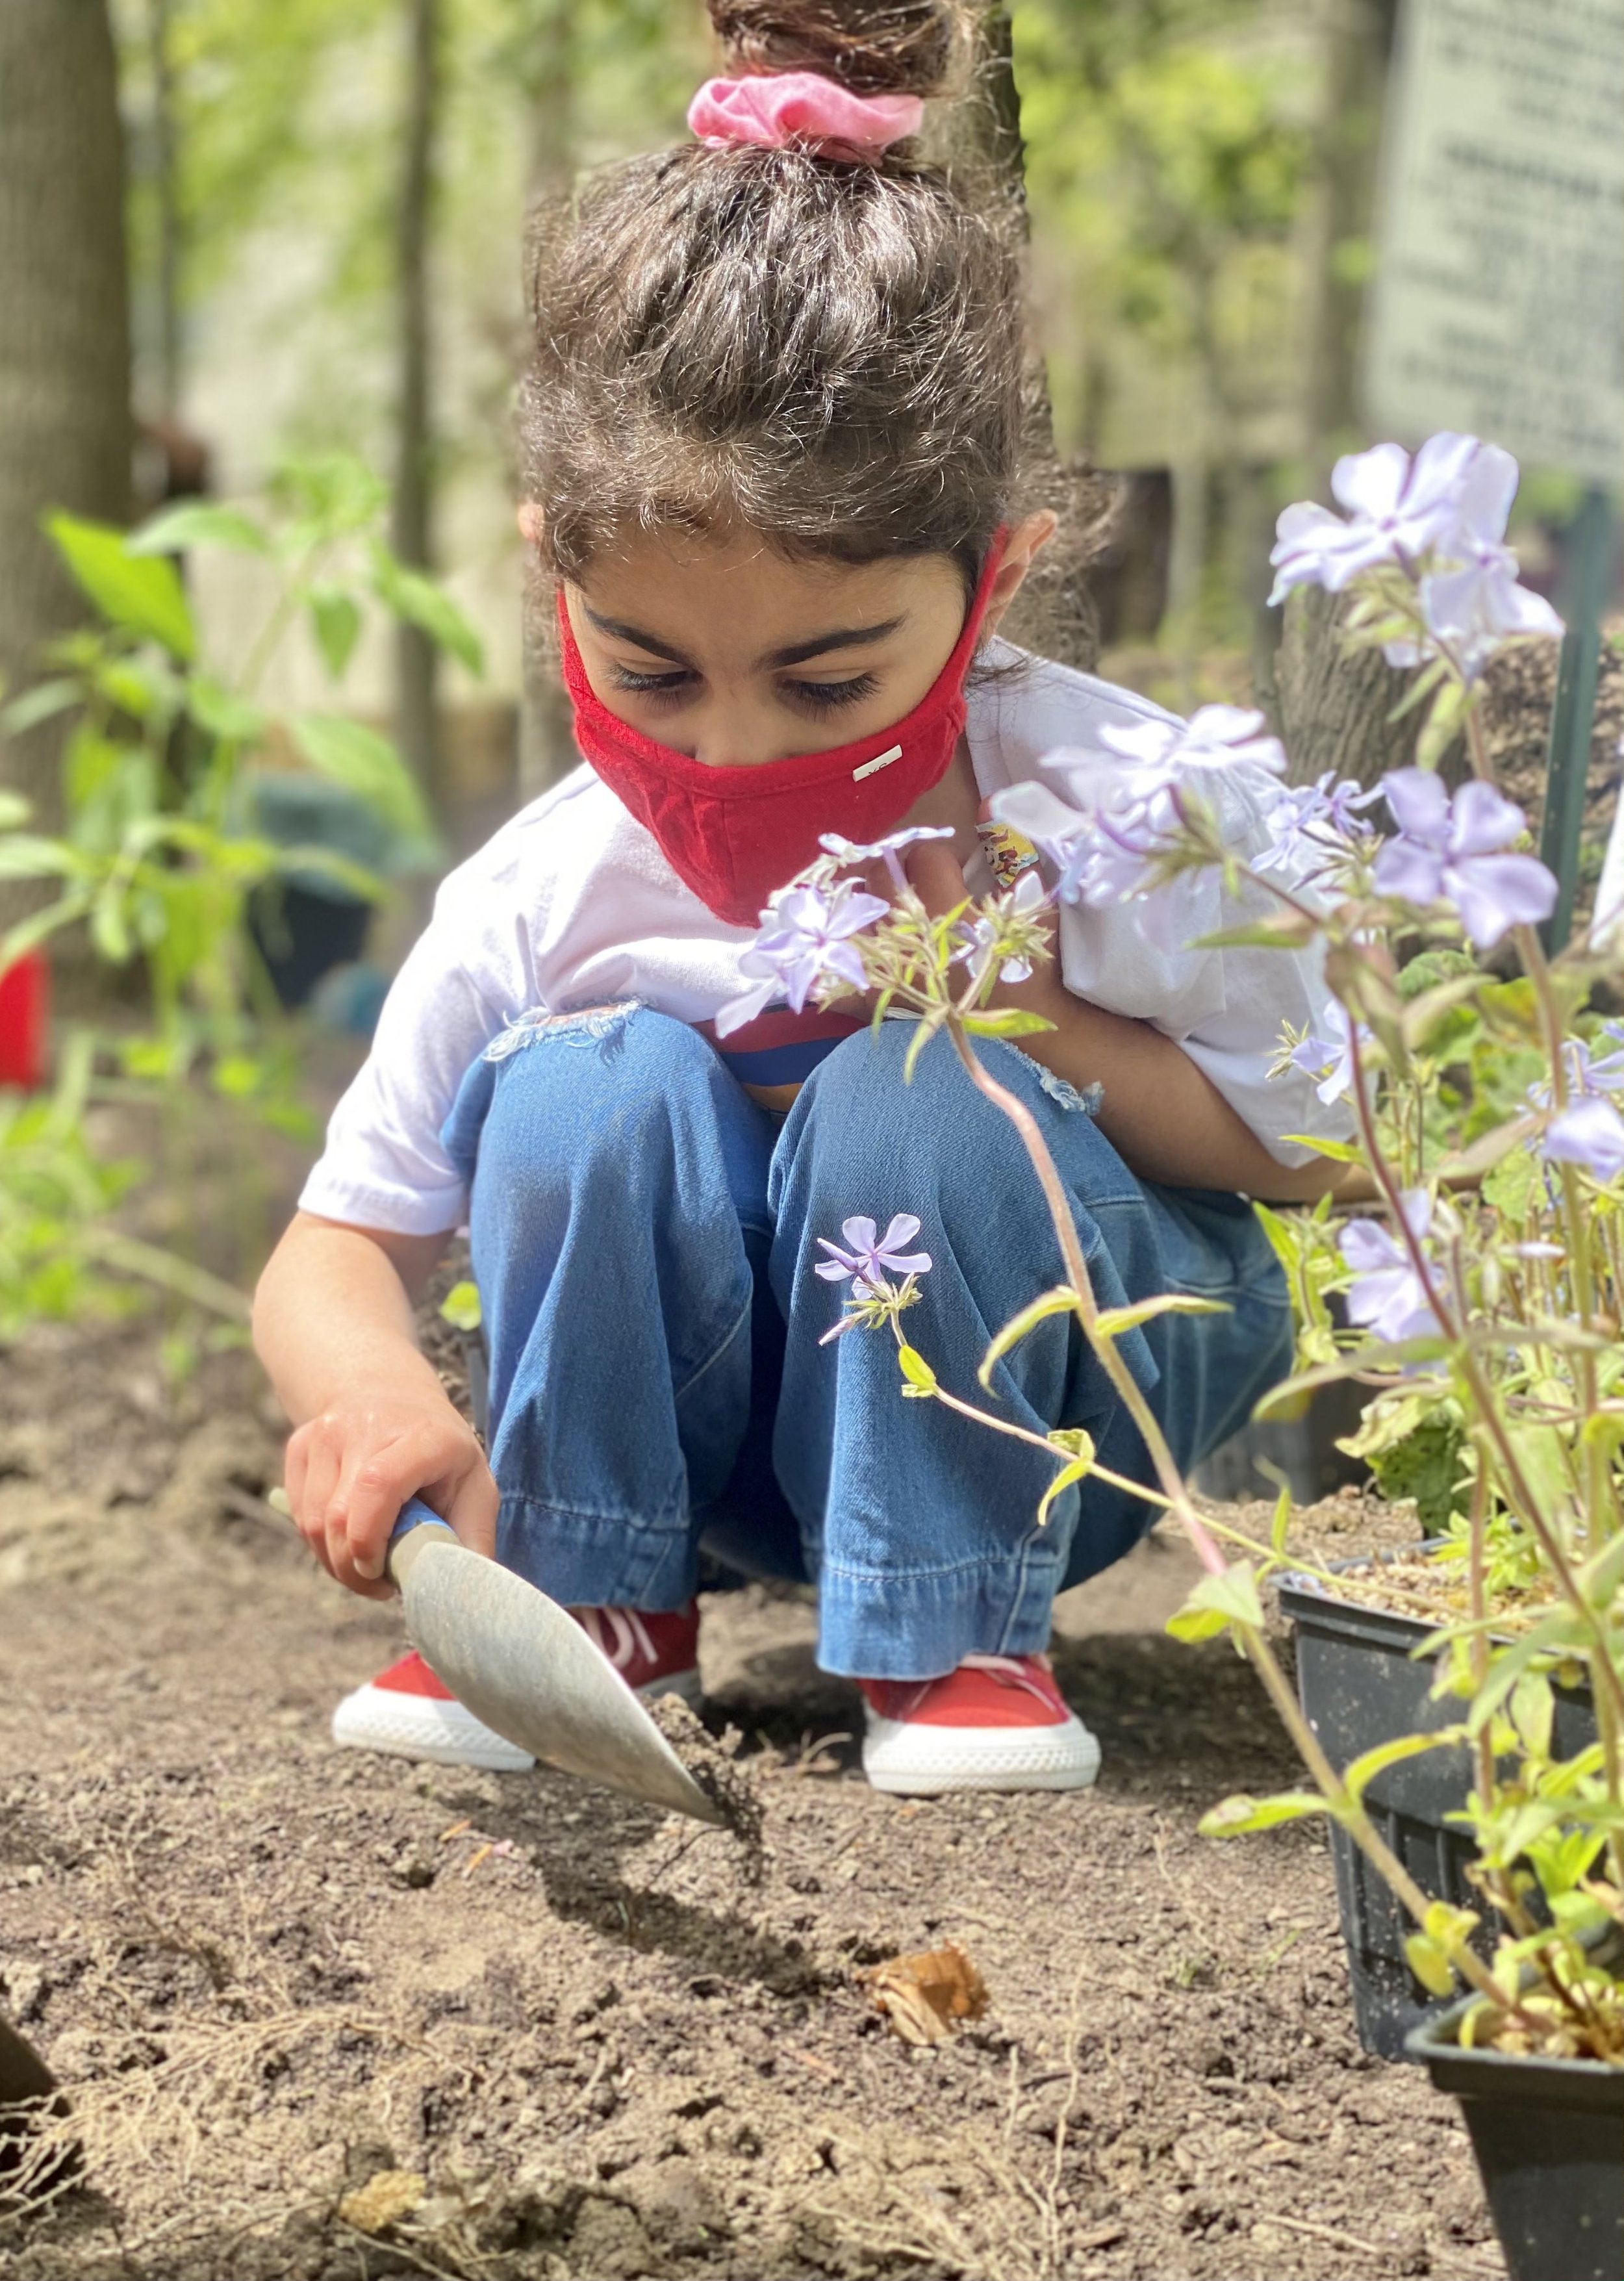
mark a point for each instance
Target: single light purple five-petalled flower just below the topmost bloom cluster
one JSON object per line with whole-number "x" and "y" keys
{"x": 1452, "y": 852}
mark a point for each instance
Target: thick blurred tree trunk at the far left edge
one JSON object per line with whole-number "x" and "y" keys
{"x": 65, "y": 341}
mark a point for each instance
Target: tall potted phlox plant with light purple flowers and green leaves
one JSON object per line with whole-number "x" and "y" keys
{"x": 1481, "y": 1290}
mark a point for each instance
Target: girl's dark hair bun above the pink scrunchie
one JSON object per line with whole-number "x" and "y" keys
{"x": 900, "y": 49}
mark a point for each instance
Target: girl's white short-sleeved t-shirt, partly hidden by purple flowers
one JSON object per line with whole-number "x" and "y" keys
{"x": 571, "y": 904}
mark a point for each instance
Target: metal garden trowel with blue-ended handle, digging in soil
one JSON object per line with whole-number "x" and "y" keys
{"x": 528, "y": 1671}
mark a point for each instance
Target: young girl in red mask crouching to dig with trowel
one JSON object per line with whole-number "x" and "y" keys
{"x": 774, "y": 471}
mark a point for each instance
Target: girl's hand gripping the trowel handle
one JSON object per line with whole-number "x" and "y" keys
{"x": 352, "y": 1468}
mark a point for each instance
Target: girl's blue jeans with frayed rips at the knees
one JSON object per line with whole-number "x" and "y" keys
{"x": 644, "y": 1244}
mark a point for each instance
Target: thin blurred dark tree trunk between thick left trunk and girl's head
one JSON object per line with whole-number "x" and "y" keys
{"x": 416, "y": 660}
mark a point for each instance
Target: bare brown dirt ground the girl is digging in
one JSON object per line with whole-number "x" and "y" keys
{"x": 270, "y": 1972}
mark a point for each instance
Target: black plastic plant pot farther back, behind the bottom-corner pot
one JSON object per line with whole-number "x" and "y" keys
{"x": 1361, "y": 1687}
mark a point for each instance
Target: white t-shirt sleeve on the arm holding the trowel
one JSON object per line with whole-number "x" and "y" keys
{"x": 384, "y": 1164}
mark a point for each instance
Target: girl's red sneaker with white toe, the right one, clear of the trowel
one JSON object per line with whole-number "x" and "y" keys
{"x": 998, "y": 1723}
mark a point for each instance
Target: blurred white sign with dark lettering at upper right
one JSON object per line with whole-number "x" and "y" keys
{"x": 1500, "y": 284}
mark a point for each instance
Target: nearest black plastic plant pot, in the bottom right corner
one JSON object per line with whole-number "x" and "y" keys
{"x": 1550, "y": 2145}
